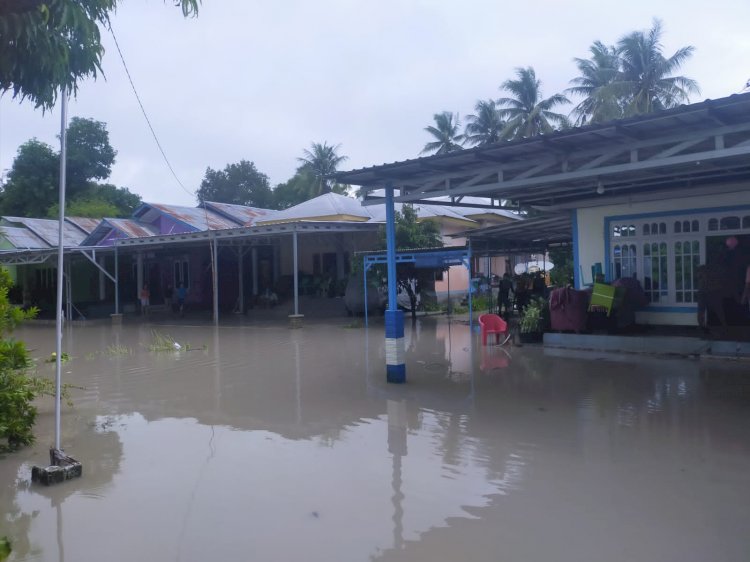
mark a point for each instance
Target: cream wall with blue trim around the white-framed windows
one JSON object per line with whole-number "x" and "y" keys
{"x": 593, "y": 240}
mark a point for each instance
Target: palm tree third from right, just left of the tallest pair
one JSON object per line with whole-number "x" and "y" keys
{"x": 527, "y": 114}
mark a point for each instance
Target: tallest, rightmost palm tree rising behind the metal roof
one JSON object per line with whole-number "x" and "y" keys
{"x": 645, "y": 80}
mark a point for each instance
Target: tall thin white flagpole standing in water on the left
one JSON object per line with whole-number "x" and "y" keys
{"x": 60, "y": 250}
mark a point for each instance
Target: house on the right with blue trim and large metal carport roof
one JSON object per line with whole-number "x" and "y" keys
{"x": 651, "y": 197}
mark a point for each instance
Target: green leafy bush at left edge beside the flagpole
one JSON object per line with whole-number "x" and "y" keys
{"x": 17, "y": 389}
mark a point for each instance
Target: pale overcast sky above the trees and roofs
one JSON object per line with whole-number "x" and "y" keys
{"x": 261, "y": 80}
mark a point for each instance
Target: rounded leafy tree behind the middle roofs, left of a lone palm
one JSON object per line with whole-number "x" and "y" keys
{"x": 238, "y": 184}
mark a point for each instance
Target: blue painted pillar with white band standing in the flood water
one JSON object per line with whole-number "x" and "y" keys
{"x": 394, "y": 318}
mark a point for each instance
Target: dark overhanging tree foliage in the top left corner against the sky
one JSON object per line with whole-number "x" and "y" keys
{"x": 51, "y": 45}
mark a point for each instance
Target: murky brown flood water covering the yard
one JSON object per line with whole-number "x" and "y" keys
{"x": 265, "y": 443}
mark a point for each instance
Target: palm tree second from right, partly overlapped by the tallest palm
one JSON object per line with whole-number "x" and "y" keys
{"x": 597, "y": 75}
